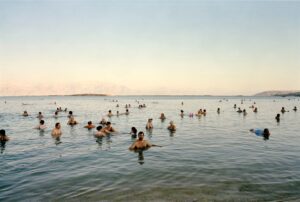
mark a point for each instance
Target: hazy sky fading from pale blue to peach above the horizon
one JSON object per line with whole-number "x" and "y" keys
{"x": 127, "y": 47}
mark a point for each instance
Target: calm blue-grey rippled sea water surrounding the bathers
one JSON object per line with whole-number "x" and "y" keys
{"x": 209, "y": 158}
